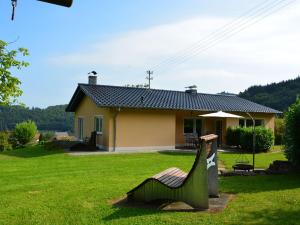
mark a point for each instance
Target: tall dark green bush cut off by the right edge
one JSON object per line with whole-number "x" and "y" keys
{"x": 292, "y": 133}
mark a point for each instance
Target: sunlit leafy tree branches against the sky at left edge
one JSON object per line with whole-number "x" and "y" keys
{"x": 10, "y": 85}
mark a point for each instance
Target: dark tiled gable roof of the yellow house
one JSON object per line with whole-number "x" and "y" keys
{"x": 127, "y": 97}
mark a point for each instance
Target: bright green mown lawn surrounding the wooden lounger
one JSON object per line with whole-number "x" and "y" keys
{"x": 42, "y": 187}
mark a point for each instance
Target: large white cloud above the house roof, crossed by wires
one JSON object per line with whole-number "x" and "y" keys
{"x": 265, "y": 52}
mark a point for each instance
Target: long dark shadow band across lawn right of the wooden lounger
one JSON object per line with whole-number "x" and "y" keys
{"x": 259, "y": 183}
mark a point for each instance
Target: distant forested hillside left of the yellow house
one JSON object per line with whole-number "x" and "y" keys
{"x": 52, "y": 118}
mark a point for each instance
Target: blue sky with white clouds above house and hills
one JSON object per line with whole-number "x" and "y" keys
{"x": 122, "y": 39}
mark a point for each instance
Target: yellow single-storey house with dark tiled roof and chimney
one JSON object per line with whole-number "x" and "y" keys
{"x": 127, "y": 118}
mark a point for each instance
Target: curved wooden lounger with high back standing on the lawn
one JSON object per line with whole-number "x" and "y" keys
{"x": 174, "y": 184}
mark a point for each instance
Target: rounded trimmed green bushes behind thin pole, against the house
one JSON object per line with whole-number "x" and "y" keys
{"x": 244, "y": 137}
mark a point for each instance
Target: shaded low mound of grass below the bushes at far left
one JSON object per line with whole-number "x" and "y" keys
{"x": 32, "y": 152}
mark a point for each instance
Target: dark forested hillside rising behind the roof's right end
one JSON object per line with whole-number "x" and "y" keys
{"x": 276, "y": 95}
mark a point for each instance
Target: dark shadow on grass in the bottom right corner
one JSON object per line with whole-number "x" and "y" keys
{"x": 263, "y": 217}
